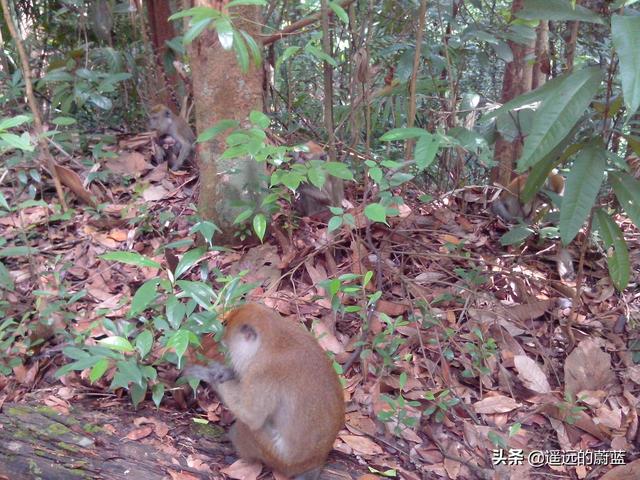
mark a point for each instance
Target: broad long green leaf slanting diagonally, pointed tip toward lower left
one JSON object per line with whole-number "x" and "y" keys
{"x": 557, "y": 115}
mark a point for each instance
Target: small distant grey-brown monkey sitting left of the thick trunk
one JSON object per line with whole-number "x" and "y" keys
{"x": 165, "y": 122}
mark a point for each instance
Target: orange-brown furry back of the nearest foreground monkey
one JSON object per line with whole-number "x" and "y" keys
{"x": 310, "y": 404}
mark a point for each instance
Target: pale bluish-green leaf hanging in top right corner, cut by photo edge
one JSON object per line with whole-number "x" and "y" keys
{"x": 625, "y": 32}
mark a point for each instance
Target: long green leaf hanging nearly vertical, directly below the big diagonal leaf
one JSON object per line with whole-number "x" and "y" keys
{"x": 583, "y": 185}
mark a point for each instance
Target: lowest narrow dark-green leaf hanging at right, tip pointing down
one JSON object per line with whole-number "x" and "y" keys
{"x": 617, "y": 250}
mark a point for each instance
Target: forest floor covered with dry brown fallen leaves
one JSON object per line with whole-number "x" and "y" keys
{"x": 484, "y": 361}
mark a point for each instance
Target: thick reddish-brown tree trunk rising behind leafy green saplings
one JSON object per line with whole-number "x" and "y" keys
{"x": 222, "y": 91}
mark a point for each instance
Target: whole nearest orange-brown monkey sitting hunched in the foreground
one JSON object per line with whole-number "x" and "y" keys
{"x": 281, "y": 387}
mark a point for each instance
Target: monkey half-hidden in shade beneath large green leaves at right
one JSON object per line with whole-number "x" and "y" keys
{"x": 509, "y": 205}
